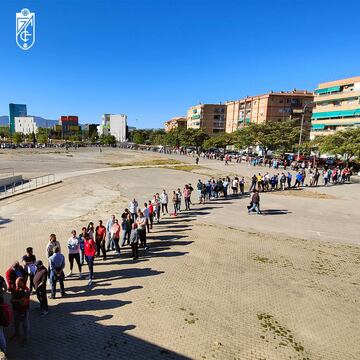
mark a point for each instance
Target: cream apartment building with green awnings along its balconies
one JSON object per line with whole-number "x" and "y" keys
{"x": 337, "y": 106}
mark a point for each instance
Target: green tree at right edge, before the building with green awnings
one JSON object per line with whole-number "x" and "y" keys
{"x": 344, "y": 143}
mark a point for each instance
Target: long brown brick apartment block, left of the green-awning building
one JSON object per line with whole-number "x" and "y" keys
{"x": 274, "y": 106}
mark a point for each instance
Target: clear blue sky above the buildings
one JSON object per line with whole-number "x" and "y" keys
{"x": 152, "y": 59}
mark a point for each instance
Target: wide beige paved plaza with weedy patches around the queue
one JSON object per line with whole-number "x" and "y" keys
{"x": 216, "y": 282}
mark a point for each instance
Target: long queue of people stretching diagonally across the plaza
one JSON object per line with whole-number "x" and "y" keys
{"x": 31, "y": 275}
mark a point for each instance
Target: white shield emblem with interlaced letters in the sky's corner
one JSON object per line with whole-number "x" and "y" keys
{"x": 25, "y": 29}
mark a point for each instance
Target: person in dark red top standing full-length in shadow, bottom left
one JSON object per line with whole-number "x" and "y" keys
{"x": 20, "y": 302}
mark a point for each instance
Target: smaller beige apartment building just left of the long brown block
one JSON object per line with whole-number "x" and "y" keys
{"x": 211, "y": 118}
